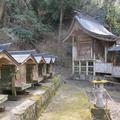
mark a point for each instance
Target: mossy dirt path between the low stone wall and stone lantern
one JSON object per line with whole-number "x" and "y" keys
{"x": 70, "y": 103}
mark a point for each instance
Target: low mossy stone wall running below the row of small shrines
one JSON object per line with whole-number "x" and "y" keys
{"x": 32, "y": 108}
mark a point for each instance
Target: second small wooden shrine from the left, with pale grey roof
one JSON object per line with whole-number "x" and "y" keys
{"x": 27, "y": 70}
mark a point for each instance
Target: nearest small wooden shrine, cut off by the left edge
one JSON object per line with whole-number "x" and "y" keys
{"x": 8, "y": 67}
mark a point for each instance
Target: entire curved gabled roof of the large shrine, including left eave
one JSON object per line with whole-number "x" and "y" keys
{"x": 92, "y": 27}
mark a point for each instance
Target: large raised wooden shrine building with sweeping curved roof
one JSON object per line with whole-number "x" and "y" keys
{"x": 90, "y": 44}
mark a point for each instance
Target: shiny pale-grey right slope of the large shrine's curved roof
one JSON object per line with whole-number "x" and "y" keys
{"x": 94, "y": 28}
